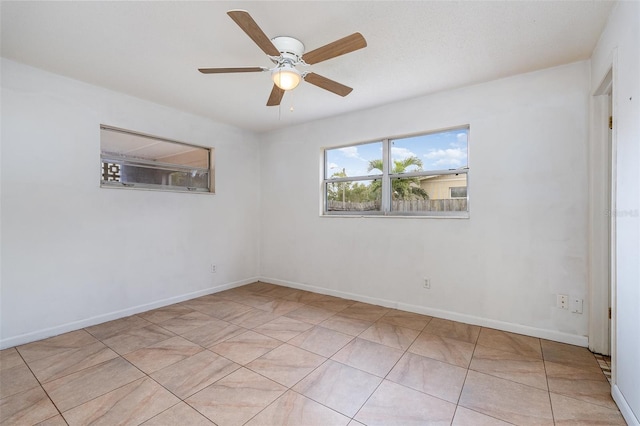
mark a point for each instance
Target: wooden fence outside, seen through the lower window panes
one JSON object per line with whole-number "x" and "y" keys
{"x": 443, "y": 205}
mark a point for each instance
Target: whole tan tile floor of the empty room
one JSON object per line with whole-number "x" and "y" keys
{"x": 268, "y": 355}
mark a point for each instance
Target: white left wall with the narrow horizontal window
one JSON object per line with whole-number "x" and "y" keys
{"x": 74, "y": 254}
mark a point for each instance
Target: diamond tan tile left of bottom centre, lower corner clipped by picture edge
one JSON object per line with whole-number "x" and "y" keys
{"x": 236, "y": 398}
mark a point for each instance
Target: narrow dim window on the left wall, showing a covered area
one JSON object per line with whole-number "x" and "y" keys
{"x": 133, "y": 160}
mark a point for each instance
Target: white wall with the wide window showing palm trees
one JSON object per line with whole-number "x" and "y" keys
{"x": 525, "y": 240}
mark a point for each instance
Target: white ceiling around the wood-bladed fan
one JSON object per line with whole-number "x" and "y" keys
{"x": 151, "y": 50}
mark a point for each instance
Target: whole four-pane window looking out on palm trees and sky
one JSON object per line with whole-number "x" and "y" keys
{"x": 424, "y": 175}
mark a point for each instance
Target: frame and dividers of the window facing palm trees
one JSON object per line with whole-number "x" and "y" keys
{"x": 386, "y": 178}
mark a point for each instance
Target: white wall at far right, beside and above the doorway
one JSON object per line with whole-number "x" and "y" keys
{"x": 619, "y": 45}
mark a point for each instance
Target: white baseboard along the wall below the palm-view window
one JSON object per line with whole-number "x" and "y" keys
{"x": 556, "y": 336}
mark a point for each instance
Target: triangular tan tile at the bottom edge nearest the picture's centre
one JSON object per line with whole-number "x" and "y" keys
{"x": 293, "y": 409}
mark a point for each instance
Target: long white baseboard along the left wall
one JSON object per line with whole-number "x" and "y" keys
{"x": 98, "y": 319}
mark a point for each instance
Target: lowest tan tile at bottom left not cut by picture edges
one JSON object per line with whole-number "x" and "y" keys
{"x": 77, "y": 388}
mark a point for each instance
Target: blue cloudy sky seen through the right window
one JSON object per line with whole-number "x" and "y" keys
{"x": 438, "y": 151}
